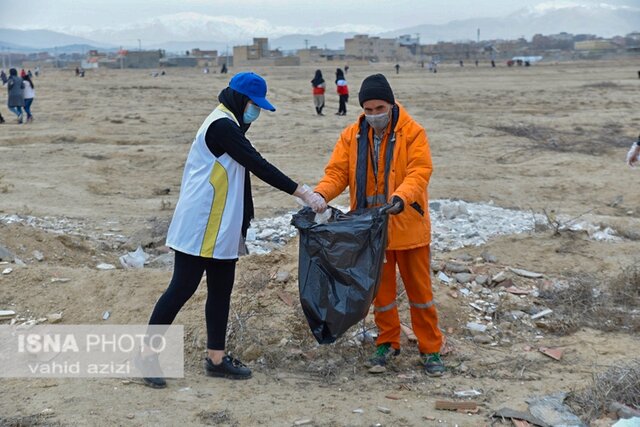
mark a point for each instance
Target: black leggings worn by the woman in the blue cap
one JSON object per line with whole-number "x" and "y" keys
{"x": 187, "y": 274}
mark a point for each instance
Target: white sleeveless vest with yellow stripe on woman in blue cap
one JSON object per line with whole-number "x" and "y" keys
{"x": 207, "y": 221}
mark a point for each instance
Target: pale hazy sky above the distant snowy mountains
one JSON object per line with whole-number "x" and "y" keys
{"x": 389, "y": 14}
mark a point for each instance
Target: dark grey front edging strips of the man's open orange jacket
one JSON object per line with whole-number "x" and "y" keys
{"x": 363, "y": 159}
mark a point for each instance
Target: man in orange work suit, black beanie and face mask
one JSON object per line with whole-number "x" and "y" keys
{"x": 384, "y": 157}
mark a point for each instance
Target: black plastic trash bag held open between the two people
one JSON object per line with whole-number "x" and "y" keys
{"x": 339, "y": 268}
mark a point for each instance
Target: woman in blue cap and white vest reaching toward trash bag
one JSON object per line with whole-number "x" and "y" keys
{"x": 213, "y": 214}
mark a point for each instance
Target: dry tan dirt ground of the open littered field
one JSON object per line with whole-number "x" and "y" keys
{"x": 104, "y": 158}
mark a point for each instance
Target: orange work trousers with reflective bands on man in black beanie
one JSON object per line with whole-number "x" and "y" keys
{"x": 415, "y": 270}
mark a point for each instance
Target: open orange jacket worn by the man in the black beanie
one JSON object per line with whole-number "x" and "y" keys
{"x": 408, "y": 178}
